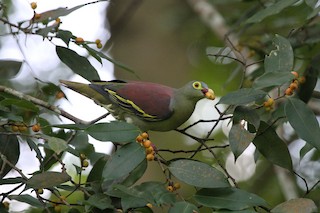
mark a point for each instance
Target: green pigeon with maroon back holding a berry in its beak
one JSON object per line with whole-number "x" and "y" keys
{"x": 149, "y": 106}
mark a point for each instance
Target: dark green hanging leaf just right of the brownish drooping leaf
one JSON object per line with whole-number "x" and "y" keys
{"x": 272, "y": 147}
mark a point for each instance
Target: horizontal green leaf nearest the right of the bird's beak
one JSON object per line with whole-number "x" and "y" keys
{"x": 242, "y": 96}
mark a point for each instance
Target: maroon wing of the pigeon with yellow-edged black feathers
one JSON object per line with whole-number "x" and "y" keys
{"x": 149, "y": 101}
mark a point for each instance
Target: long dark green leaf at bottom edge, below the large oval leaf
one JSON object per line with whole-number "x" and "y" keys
{"x": 228, "y": 198}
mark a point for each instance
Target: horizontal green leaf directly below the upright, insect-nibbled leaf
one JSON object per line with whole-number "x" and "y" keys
{"x": 271, "y": 79}
